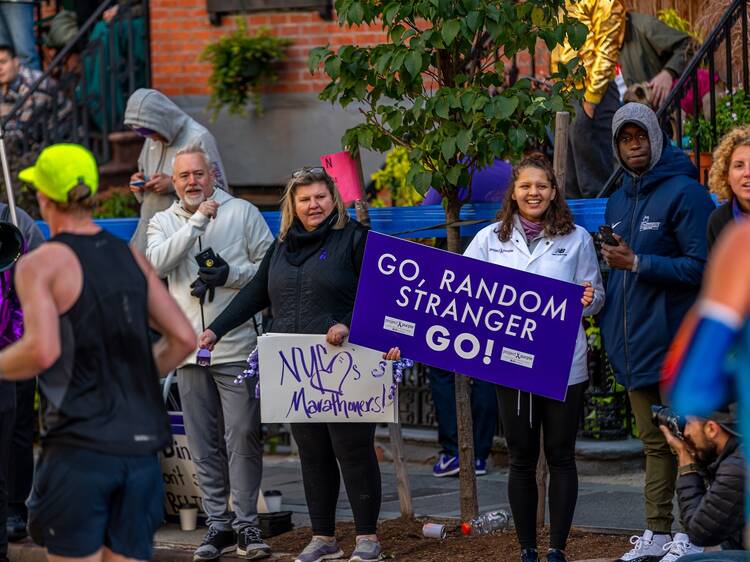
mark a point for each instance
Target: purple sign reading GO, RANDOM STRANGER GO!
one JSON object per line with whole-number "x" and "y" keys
{"x": 494, "y": 323}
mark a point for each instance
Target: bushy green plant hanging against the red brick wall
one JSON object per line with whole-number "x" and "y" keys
{"x": 242, "y": 63}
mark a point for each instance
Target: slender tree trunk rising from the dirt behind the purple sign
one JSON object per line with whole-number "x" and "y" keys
{"x": 467, "y": 477}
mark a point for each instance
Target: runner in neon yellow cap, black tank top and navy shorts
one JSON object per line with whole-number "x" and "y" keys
{"x": 88, "y": 302}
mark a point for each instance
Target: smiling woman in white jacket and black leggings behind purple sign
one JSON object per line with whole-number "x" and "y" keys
{"x": 535, "y": 233}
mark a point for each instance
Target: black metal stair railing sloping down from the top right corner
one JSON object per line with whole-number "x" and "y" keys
{"x": 735, "y": 14}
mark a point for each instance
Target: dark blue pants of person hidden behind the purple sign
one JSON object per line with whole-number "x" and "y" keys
{"x": 483, "y": 412}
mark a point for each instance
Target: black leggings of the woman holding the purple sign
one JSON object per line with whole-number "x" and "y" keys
{"x": 559, "y": 420}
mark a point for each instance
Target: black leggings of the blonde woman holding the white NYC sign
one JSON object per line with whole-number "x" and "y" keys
{"x": 321, "y": 445}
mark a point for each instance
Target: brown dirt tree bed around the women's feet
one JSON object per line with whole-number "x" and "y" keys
{"x": 402, "y": 540}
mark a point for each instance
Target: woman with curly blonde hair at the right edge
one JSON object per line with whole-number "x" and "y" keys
{"x": 729, "y": 179}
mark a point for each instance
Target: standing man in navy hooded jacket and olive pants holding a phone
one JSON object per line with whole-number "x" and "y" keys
{"x": 659, "y": 218}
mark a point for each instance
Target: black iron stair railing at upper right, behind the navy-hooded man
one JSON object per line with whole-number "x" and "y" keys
{"x": 728, "y": 40}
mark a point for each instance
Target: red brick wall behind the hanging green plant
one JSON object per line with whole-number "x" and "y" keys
{"x": 180, "y": 29}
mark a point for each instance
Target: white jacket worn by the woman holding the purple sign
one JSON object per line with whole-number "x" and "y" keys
{"x": 569, "y": 258}
